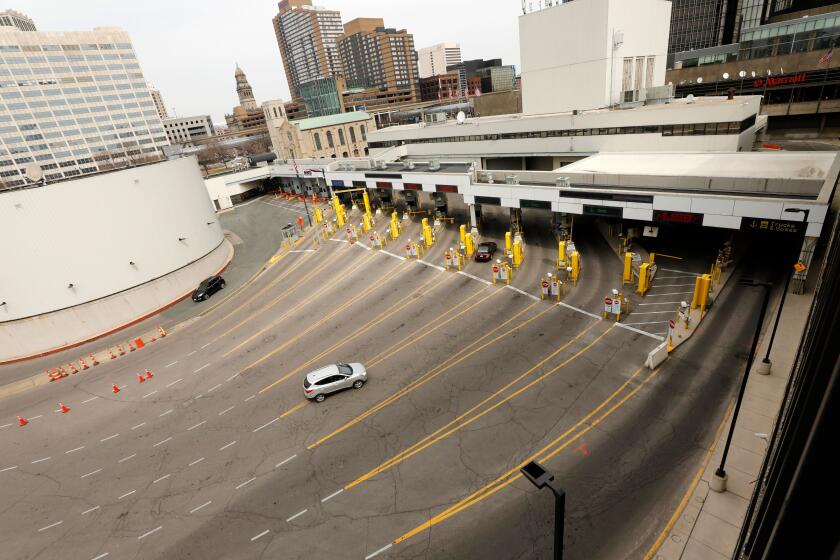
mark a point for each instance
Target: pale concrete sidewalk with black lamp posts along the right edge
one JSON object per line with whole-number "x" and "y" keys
{"x": 706, "y": 524}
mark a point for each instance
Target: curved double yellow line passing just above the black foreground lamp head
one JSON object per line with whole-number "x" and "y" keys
{"x": 513, "y": 474}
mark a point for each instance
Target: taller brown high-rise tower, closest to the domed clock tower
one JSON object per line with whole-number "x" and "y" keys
{"x": 307, "y": 37}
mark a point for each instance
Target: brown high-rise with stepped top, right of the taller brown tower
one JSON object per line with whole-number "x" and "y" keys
{"x": 379, "y": 61}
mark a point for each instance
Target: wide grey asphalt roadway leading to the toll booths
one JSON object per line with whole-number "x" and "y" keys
{"x": 220, "y": 456}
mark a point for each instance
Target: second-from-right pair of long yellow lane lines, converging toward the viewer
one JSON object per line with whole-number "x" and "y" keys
{"x": 447, "y": 430}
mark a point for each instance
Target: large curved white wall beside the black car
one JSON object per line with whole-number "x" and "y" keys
{"x": 86, "y": 233}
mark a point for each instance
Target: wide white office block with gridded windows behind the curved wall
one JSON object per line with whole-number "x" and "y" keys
{"x": 73, "y": 103}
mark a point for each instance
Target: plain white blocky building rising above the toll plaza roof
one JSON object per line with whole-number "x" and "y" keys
{"x": 587, "y": 55}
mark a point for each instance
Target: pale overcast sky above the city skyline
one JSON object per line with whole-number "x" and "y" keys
{"x": 189, "y": 48}
